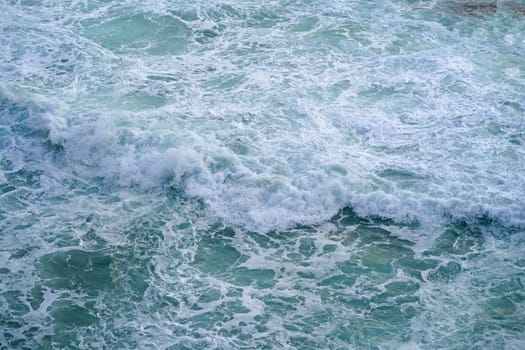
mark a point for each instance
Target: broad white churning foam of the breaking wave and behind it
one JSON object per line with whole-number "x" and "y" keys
{"x": 269, "y": 135}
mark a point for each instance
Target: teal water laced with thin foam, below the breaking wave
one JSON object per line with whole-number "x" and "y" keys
{"x": 349, "y": 282}
